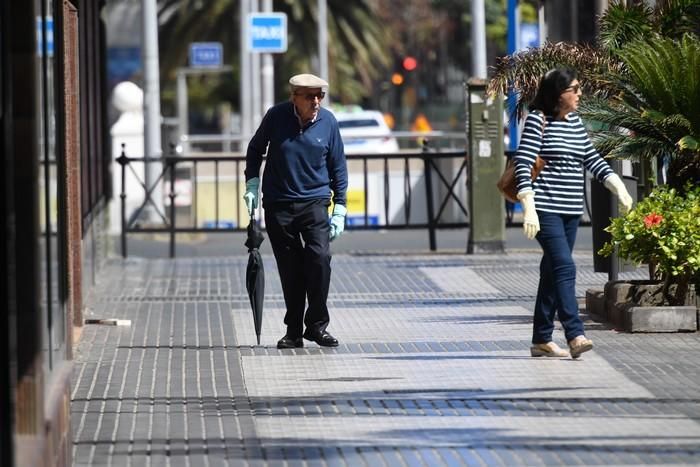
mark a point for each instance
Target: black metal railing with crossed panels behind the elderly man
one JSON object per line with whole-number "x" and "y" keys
{"x": 422, "y": 165}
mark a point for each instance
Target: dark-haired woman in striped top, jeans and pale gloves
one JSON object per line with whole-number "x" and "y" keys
{"x": 553, "y": 204}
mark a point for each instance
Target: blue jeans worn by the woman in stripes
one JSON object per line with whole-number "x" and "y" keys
{"x": 556, "y": 292}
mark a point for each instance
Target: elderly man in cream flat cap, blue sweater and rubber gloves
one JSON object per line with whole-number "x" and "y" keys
{"x": 305, "y": 167}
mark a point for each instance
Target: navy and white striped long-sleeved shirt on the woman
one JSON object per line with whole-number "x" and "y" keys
{"x": 567, "y": 149}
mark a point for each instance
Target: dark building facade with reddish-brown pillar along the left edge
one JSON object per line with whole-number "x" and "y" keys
{"x": 55, "y": 185}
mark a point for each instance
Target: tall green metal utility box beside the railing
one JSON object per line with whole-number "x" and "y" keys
{"x": 487, "y": 230}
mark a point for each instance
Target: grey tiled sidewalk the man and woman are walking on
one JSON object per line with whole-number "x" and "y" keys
{"x": 433, "y": 369}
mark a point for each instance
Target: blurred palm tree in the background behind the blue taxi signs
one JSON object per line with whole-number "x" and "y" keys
{"x": 357, "y": 41}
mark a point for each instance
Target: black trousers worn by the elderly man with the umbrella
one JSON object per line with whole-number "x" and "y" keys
{"x": 298, "y": 234}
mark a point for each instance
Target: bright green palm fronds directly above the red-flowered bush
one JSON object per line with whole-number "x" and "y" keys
{"x": 656, "y": 99}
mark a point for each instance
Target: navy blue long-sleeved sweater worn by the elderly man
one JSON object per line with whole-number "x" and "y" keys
{"x": 303, "y": 163}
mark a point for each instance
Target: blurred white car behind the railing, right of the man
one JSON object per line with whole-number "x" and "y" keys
{"x": 365, "y": 132}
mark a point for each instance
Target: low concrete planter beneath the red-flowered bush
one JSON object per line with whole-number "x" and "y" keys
{"x": 632, "y": 306}
